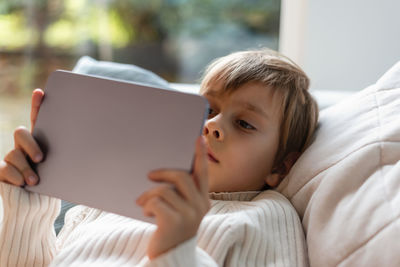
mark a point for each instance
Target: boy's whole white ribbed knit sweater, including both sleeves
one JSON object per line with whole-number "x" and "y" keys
{"x": 241, "y": 229}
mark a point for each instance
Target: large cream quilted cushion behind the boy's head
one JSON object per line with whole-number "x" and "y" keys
{"x": 346, "y": 185}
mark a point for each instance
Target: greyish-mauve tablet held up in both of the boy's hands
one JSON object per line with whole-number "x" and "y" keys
{"x": 101, "y": 137}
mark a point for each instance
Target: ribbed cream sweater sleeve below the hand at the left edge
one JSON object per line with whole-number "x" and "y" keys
{"x": 27, "y": 236}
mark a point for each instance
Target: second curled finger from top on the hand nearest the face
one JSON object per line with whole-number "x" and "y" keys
{"x": 166, "y": 193}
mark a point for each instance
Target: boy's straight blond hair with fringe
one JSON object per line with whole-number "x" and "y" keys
{"x": 299, "y": 109}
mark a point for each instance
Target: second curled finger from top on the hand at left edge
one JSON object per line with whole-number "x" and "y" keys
{"x": 17, "y": 159}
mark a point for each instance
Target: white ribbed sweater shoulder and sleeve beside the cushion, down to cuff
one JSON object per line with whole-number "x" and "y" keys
{"x": 263, "y": 232}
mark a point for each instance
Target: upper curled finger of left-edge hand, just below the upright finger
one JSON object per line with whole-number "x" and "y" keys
{"x": 25, "y": 141}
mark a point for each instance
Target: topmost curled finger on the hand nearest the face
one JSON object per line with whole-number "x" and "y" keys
{"x": 182, "y": 181}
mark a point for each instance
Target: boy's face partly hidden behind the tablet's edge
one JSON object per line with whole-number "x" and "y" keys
{"x": 242, "y": 135}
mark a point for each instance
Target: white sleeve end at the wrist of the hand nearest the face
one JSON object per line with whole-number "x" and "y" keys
{"x": 186, "y": 254}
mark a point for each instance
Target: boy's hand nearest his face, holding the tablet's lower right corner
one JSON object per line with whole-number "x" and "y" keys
{"x": 178, "y": 205}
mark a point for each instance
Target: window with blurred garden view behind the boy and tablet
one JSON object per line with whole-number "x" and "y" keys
{"x": 174, "y": 38}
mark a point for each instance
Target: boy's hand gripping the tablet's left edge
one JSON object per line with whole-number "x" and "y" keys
{"x": 15, "y": 169}
